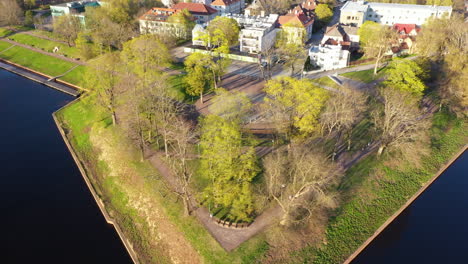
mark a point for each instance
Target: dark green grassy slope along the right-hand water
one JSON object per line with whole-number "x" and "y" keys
{"x": 376, "y": 189}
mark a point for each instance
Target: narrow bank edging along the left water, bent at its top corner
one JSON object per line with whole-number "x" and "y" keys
{"x": 99, "y": 202}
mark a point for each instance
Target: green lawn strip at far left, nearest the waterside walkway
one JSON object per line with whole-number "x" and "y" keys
{"x": 39, "y": 62}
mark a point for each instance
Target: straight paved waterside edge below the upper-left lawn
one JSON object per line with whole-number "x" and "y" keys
{"x": 41, "y": 78}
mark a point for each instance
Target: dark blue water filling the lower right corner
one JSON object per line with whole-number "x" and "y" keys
{"x": 433, "y": 229}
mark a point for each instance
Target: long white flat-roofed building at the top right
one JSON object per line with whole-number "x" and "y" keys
{"x": 356, "y": 13}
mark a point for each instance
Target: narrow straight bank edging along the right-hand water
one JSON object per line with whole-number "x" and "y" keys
{"x": 408, "y": 203}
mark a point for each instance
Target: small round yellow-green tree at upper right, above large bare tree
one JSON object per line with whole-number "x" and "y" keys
{"x": 406, "y": 75}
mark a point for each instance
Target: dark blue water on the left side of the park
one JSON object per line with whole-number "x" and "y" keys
{"x": 47, "y": 214}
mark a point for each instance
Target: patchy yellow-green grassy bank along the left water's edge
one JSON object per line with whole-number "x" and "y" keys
{"x": 84, "y": 121}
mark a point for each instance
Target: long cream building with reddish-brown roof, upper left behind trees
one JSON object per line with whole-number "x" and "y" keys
{"x": 155, "y": 21}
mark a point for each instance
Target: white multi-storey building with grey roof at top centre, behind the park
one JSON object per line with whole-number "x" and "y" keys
{"x": 258, "y": 34}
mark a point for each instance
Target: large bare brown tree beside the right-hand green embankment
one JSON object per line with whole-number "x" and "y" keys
{"x": 399, "y": 120}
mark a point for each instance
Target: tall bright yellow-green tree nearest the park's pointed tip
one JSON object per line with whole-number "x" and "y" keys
{"x": 230, "y": 167}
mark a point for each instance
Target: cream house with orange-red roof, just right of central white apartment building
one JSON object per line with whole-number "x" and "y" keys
{"x": 297, "y": 24}
